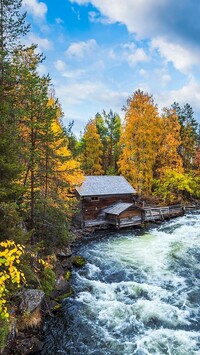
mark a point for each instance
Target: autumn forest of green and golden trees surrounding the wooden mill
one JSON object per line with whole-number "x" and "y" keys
{"x": 41, "y": 161}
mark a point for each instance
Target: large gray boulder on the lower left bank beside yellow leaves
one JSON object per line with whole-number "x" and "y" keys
{"x": 31, "y": 300}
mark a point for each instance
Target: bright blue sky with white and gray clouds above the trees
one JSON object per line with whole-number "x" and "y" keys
{"x": 99, "y": 52}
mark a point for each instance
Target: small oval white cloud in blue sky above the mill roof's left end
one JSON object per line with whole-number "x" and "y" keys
{"x": 81, "y": 49}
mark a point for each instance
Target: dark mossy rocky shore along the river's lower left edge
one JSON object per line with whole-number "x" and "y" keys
{"x": 32, "y": 306}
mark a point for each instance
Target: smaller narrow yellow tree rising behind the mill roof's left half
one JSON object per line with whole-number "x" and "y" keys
{"x": 91, "y": 157}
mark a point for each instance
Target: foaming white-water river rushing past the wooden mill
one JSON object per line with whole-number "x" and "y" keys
{"x": 139, "y": 293}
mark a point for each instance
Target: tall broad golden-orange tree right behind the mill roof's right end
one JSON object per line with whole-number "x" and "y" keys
{"x": 140, "y": 140}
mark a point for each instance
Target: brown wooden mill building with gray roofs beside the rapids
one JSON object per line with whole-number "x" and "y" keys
{"x": 107, "y": 200}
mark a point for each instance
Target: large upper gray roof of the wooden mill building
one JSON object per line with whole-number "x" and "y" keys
{"x": 105, "y": 185}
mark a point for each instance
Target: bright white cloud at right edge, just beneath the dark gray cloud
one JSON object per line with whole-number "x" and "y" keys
{"x": 182, "y": 58}
